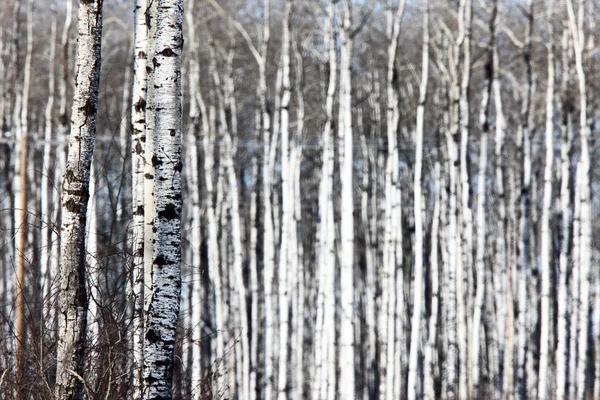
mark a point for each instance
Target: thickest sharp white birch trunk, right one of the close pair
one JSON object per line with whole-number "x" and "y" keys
{"x": 163, "y": 306}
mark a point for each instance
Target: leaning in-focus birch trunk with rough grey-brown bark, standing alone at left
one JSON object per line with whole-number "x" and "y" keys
{"x": 75, "y": 195}
